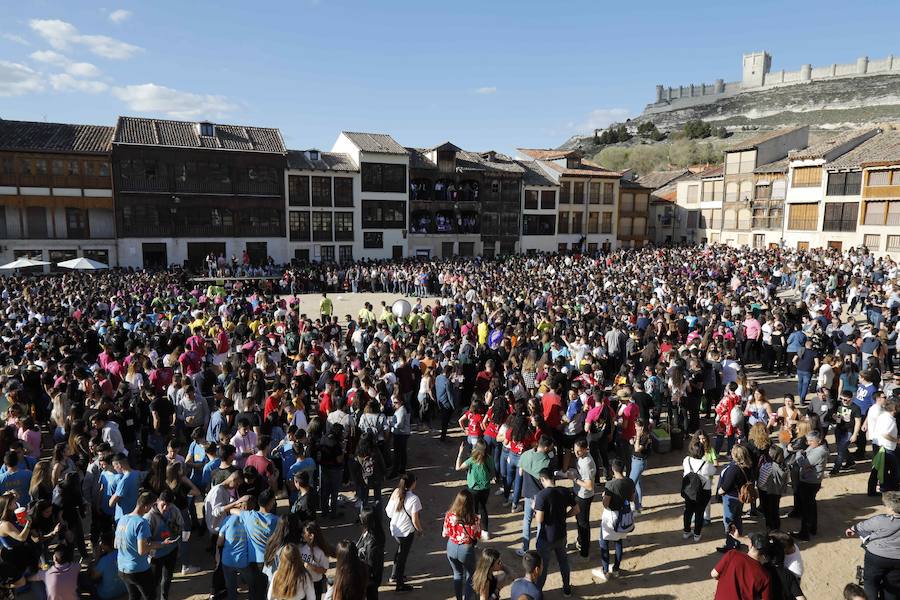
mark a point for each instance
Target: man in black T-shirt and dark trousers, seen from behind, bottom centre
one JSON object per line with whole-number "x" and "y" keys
{"x": 552, "y": 506}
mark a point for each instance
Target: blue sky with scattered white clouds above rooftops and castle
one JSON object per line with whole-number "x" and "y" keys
{"x": 484, "y": 74}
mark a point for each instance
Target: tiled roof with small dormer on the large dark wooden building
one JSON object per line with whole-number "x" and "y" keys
{"x": 186, "y": 134}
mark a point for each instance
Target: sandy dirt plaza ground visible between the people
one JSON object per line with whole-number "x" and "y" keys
{"x": 658, "y": 564}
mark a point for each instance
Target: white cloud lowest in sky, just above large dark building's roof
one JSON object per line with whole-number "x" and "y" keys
{"x": 153, "y": 98}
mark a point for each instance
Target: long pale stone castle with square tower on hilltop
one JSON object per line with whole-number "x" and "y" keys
{"x": 757, "y": 75}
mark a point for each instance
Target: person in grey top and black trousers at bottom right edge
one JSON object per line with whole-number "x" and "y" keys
{"x": 881, "y": 539}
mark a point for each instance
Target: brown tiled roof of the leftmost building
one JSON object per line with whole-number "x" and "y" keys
{"x": 35, "y": 136}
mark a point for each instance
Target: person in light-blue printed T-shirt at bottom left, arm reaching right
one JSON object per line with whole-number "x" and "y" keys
{"x": 133, "y": 541}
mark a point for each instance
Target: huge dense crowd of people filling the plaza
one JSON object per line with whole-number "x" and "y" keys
{"x": 147, "y": 417}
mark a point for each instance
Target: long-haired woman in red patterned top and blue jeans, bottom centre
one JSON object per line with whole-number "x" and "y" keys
{"x": 462, "y": 528}
